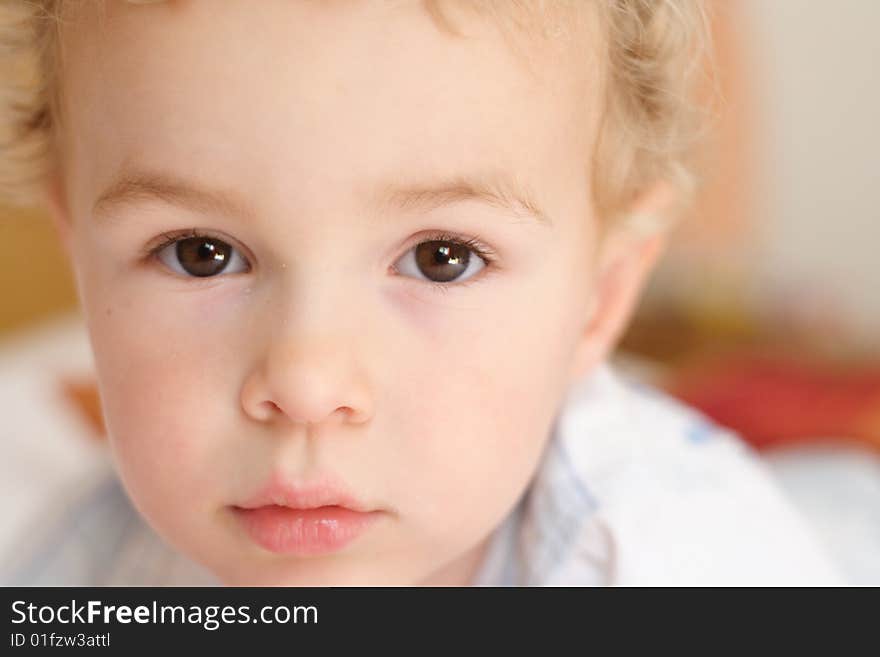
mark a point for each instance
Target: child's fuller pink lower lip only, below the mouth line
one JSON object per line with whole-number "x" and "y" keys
{"x": 304, "y": 532}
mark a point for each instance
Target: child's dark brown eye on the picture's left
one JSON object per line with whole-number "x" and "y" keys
{"x": 200, "y": 256}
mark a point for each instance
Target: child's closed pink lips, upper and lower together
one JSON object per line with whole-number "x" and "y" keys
{"x": 320, "y": 518}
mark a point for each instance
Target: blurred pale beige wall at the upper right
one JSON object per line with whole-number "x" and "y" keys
{"x": 815, "y": 70}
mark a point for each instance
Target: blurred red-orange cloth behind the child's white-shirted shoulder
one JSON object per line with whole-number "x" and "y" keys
{"x": 776, "y": 401}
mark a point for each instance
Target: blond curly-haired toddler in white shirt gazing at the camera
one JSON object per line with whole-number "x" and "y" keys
{"x": 352, "y": 272}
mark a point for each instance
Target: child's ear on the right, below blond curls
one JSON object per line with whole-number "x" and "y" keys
{"x": 626, "y": 256}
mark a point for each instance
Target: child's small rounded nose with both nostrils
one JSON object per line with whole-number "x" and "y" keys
{"x": 308, "y": 380}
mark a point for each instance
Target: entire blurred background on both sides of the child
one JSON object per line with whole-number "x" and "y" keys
{"x": 764, "y": 313}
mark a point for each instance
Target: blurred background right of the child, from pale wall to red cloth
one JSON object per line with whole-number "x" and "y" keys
{"x": 766, "y": 310}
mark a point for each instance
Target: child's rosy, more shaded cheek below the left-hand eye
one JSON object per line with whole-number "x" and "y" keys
{"x": 164, "y": 400}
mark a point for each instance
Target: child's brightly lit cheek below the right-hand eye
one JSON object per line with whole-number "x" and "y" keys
{"x": 475, "y": 397}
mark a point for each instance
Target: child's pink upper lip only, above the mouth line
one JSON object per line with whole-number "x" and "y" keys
{"x": 318, "y": 492}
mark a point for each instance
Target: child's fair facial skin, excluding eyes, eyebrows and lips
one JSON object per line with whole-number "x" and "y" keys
{"x": 321, "y": 348}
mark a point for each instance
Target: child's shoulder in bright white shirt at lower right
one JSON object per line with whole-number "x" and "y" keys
{"x": 679, "y": 499}
